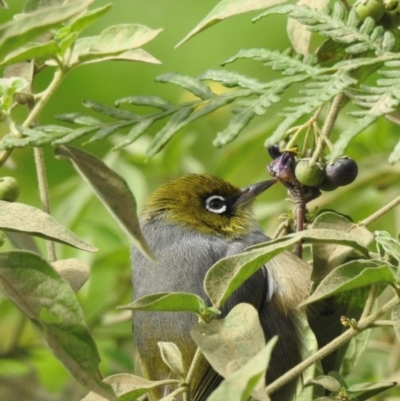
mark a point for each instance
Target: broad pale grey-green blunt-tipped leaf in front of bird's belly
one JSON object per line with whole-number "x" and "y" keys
{"x": 229, "y": 343}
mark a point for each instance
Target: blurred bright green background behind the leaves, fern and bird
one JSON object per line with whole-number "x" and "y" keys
{"x": 28, "y": 371}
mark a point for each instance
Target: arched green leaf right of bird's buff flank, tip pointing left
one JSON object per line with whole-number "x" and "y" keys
{"x": 352, "y": 275}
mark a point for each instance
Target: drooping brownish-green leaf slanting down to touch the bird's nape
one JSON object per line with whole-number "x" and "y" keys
{"x": 111, "y": 189}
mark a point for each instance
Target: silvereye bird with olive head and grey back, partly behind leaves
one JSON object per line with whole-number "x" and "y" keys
{"x": 190, "y": 223}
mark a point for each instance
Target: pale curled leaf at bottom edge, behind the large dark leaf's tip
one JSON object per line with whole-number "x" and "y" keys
{"x": 128, "y": 387}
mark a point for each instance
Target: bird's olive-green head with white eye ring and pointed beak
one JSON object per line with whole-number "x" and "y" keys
{"x": 206, "y": 204}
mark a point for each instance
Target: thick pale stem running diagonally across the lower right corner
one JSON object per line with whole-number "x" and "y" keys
{"x": 362, "y": 324}
